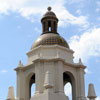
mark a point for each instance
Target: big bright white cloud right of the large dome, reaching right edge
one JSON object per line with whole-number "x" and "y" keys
{"x": 87, "y": 45}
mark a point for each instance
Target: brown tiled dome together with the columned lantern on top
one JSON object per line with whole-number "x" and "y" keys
{"x": 50, "y": 35}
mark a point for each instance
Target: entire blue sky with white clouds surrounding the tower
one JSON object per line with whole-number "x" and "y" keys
{"x": 20, "y": 25}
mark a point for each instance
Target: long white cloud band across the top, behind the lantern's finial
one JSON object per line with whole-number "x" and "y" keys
{"x": 34, "y": 9}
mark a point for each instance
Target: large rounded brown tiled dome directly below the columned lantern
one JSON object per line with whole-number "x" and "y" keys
{"x": 50, "y": 39}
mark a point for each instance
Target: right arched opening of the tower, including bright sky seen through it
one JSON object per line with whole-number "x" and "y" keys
{"x": 69, "y": 85}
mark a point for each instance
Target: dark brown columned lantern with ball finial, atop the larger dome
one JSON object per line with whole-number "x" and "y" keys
{"x": 49, "y": 22}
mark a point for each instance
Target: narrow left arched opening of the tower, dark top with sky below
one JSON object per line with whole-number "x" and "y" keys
{"x": 32, "y": 86}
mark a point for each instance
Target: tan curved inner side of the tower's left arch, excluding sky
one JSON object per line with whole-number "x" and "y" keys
{"x": 30, "y": 79}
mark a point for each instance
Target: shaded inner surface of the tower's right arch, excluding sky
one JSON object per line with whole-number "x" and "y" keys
{"x": 68, "y": 77}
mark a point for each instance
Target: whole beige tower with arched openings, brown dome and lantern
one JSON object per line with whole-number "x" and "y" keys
{"x": 50, "y": 66}
